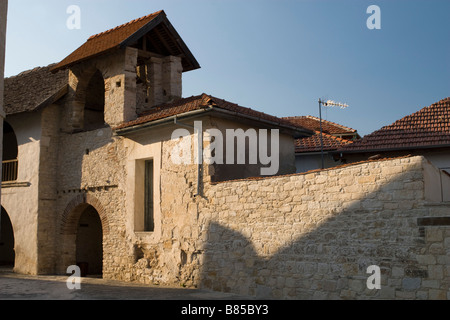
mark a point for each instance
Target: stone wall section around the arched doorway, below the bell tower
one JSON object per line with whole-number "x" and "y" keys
{"x": 91, "y": 172}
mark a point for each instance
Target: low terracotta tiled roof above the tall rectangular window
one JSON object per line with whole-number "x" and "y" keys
{"x": 202, "y": 101}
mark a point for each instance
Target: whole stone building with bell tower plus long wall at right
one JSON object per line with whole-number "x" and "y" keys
{"x": 100, "y": 154}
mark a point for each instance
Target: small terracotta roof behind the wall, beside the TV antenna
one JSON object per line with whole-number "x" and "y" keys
{"x": 313, "y": 144}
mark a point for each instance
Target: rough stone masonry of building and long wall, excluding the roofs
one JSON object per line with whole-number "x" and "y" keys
{"x": 299, "y": 236}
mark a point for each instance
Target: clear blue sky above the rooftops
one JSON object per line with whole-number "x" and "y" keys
{"x": 275, "y": 56}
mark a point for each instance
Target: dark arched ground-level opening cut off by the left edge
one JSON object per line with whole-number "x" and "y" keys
{"x": 7, "y": 255}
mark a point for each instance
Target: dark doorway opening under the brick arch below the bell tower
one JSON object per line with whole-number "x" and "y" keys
{"x": 89, "y": 243}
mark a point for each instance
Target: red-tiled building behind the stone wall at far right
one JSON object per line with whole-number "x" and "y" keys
{"x": 425, "y": 133}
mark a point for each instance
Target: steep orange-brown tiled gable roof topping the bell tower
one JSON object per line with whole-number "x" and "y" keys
{"x": 120, "y": 36}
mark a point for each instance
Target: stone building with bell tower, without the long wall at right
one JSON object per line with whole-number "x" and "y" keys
{"x": 89, "y": 178}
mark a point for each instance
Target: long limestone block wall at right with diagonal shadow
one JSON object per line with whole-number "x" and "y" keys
{"x": 313, "y": 236}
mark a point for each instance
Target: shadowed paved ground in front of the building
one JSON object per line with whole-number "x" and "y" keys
{"x": 20, "y": 287}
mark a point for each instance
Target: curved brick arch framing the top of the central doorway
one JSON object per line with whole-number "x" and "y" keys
{"x": 75, "y": 208}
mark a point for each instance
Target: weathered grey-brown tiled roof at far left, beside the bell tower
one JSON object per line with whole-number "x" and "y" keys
{"x": 32, "y": 89}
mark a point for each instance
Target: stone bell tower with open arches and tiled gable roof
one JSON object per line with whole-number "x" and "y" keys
{"x": 120, "y": 73}
